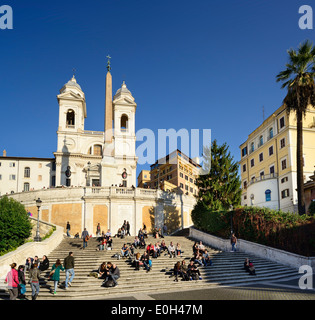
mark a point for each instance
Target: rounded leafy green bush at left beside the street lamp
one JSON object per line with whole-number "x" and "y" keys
{"x": 15, "y": 225}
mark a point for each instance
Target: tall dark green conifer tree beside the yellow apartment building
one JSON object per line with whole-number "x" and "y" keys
{"x": 219, "y": 185}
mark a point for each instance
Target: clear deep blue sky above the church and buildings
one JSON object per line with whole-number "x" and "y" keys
{"x": 189, "y": 64}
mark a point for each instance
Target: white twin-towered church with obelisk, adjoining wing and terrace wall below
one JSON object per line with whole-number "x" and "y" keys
{"x": 92, "y": 177}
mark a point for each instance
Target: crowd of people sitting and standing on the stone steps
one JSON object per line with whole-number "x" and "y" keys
{"x": 108, "y": 271}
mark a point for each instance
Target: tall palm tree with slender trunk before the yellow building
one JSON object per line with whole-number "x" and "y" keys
{"x": 298, "y": 78}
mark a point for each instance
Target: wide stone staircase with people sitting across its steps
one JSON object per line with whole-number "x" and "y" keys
{"x": 226, "y": 269}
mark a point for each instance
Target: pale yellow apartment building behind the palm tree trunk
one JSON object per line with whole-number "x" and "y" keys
{"x": 268, "y": 161}
